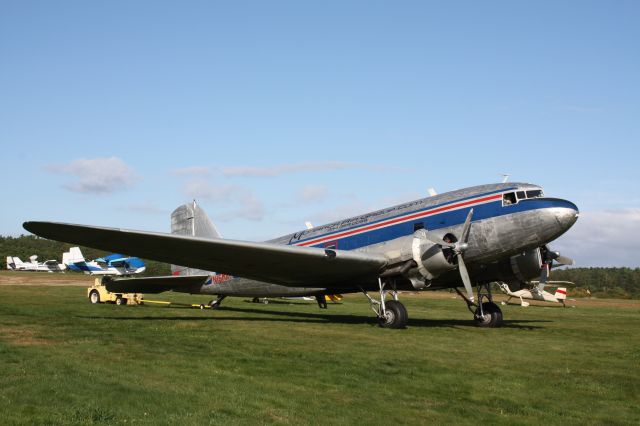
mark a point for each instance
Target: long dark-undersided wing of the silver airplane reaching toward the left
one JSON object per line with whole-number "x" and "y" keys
{"x": 274, "y": 263}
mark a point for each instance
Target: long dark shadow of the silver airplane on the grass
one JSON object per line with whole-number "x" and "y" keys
{"x": 319, "y": 318}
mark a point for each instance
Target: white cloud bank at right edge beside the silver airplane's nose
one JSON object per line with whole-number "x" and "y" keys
{"x": 603, "y": 238}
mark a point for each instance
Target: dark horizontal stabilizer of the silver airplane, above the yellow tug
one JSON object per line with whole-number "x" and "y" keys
{"x": 156, "y": 284}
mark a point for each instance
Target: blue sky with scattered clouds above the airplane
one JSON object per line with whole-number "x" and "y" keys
{"x": 273, "y": 113}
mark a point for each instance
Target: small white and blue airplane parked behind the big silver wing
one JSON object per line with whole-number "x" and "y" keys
{"x": 114, "y": 264}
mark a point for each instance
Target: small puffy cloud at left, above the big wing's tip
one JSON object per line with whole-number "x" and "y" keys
{"x": 97, "y": 175}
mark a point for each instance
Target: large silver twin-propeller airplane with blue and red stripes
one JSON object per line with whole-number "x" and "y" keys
{"x": 465, "y": 238}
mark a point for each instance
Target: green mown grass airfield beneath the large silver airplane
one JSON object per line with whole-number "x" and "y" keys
{"x": 63, "y": 360}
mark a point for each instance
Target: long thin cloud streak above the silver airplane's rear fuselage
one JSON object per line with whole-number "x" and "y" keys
{"x": 273, "y": 171}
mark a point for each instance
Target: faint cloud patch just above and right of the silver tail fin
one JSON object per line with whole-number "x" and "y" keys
{"x": 235, "y": 201}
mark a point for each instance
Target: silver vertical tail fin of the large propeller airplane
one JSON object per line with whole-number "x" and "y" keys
{"x": 191, "y": 220}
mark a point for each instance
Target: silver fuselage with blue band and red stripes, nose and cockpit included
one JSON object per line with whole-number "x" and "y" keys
{"x": 510, "y": 222}
